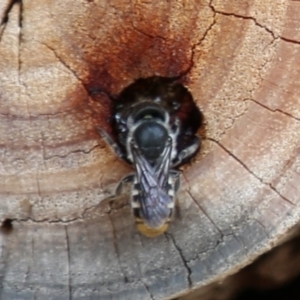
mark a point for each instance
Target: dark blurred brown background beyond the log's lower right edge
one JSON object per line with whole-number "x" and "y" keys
{"x": 272, "y": 273}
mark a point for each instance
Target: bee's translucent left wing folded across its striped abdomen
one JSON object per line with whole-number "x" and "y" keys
{"x": 153, "y": 198}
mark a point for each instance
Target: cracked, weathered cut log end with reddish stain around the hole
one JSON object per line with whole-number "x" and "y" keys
{"x": 59, "y": 63}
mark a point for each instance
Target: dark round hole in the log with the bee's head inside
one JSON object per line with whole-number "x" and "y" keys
{"x": 165, "y": 99}
